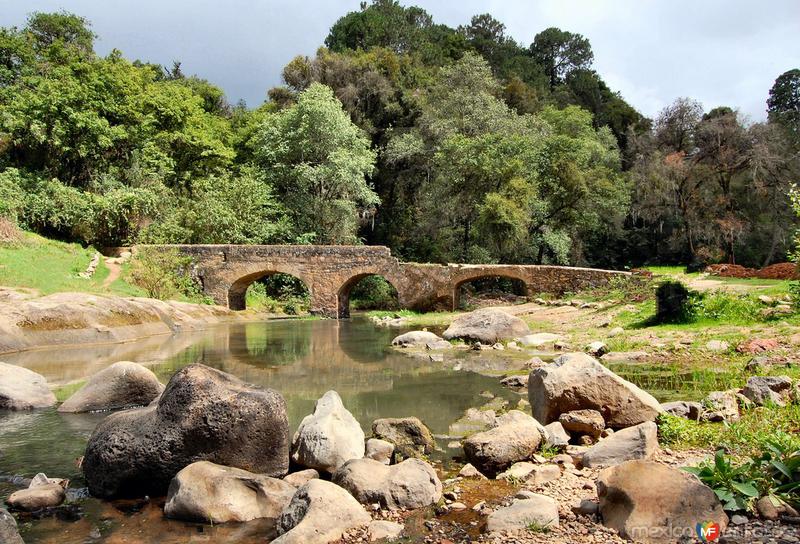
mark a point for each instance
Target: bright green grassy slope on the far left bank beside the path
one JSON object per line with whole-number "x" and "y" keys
{"x": 49, "y": 266}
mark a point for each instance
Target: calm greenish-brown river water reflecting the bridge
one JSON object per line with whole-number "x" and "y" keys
{"x": 300, "y": 359}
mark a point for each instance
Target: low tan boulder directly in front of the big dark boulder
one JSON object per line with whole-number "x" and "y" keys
{"x": 211, "y": 493}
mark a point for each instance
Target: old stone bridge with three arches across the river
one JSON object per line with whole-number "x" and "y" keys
{"x": 330, "y": 272}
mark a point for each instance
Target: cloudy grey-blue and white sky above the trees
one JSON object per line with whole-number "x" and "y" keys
{"x": 721, "y": 52}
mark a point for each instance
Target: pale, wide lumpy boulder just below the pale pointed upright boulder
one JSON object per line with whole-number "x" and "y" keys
{"x": 410, "y": 484}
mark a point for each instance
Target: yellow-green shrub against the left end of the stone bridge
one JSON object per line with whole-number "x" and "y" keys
{"x": 164, "y": 274}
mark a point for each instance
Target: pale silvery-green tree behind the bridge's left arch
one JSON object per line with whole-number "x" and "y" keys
{"x": 318, "y": 161}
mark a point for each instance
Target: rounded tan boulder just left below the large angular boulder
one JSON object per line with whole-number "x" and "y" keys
{"x": 495, "y": 450}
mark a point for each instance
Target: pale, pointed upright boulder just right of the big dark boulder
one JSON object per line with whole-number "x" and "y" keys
{"x": 328, "y": 437}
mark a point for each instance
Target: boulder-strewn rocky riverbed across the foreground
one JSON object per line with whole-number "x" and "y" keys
{"x": 575, "y": 458}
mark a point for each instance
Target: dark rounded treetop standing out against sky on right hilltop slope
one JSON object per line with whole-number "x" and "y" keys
{"x": 561, "y": 52}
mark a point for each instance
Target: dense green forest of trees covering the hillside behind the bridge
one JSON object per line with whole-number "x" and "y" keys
{"x": 446, "y": 144}
